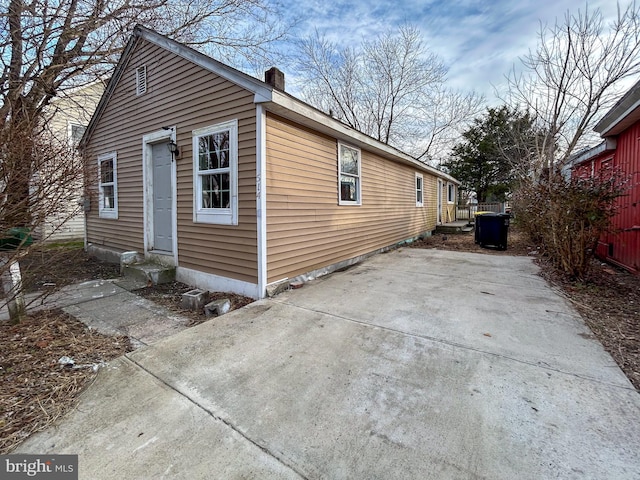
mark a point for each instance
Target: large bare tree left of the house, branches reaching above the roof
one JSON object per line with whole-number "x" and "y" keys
{"x": 47, "y": 46}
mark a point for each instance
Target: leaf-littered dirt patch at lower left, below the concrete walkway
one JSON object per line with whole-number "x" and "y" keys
{"x": 37, "y": 387}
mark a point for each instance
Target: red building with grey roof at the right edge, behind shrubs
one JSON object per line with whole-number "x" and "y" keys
{"x": 620, "y": 129}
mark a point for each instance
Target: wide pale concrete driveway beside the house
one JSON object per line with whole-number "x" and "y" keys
{"x": 418, "y": 364}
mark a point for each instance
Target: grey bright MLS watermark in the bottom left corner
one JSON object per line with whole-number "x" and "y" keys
{"x": 50, "y": 467}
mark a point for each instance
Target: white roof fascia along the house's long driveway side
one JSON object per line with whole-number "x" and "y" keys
{"x": 282, "y": 103}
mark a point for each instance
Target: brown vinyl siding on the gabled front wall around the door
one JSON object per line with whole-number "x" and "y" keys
{"x": 185, "y": 95}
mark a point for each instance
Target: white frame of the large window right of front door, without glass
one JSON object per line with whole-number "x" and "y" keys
{"x": 220, "y": 216}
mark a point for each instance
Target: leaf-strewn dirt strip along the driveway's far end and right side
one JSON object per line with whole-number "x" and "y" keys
{"x": 608, "y": 300}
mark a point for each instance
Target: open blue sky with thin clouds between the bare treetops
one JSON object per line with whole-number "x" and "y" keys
{"x": 480, "y": 41}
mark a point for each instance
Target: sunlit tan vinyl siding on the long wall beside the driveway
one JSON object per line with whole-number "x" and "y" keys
{"x": 307, "y": 229}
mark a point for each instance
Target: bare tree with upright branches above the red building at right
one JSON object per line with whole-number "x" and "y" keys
{"x": 576, "y": 72}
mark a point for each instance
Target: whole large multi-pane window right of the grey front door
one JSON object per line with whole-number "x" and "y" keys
{"x": 215, "y": 166}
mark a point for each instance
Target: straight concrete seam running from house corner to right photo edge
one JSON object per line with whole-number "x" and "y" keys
{"x": 462, "y": 346}
